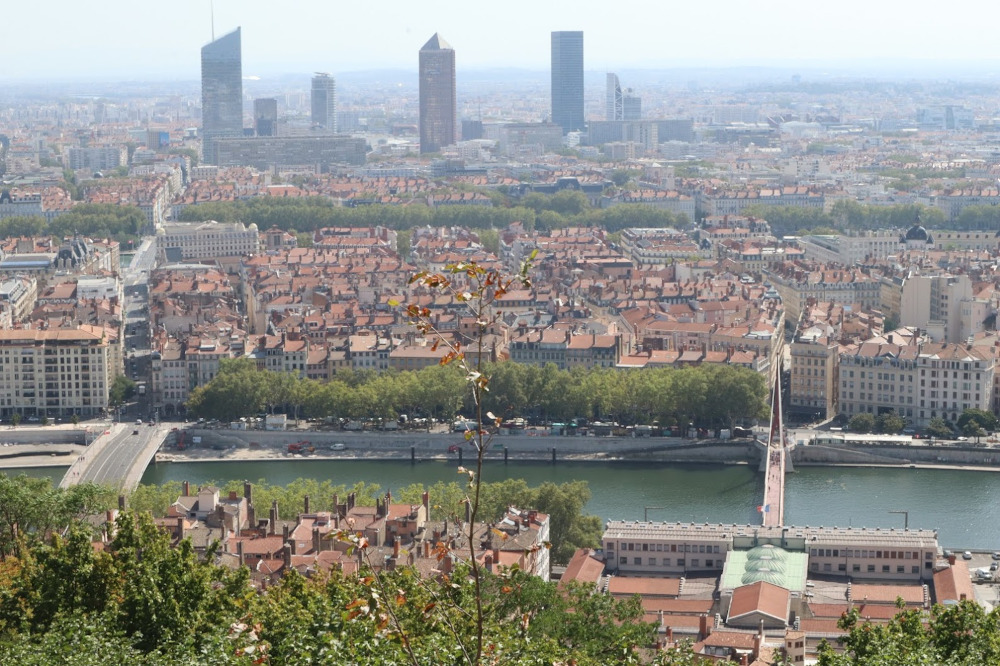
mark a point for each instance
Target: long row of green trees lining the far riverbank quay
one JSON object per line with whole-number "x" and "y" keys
{"x": 708, "y": 395}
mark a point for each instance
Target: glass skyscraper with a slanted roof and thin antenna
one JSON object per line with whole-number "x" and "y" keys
{"x": 221, "y": 92}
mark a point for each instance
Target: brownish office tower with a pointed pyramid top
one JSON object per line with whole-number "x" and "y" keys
{"x": 437, "y": 95}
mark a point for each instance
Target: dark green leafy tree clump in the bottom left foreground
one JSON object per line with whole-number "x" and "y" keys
{"x": 144, "y": 595}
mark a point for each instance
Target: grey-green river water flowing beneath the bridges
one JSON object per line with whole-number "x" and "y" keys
{"x": 961, "y": 505}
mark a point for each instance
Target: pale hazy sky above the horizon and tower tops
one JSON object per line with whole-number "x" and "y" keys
{"x": 109, "y": 39}
